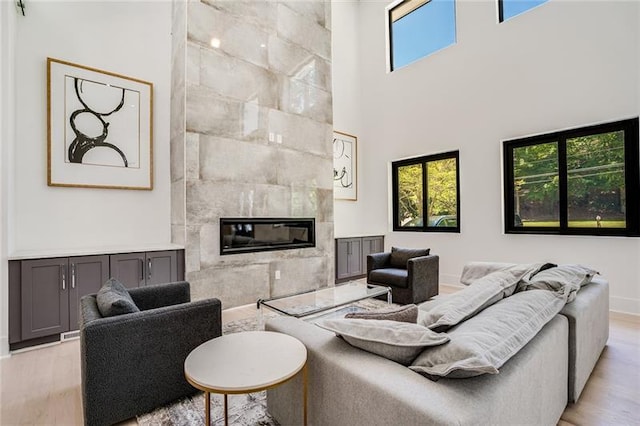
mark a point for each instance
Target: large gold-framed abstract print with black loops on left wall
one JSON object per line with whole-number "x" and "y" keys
{"x": 99, "y": 127}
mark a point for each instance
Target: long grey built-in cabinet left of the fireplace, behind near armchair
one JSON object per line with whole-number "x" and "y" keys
{"x": 44, "y": 294}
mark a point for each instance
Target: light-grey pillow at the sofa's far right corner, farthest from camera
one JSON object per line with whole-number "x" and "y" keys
{"x": 564, "y": 280}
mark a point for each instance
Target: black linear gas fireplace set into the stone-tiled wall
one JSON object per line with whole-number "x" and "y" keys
{"x": 242, "y": 235}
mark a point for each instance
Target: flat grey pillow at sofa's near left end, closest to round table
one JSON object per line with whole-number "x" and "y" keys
{"x": 398, "y": 341}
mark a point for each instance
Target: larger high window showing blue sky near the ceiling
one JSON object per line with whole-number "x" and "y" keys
{"x": 418, "y": 28}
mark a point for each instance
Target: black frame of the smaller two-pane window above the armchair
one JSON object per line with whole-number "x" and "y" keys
{"x": 425, "y": 191}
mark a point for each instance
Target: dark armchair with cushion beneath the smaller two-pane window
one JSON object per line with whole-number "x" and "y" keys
{"x": 412, "y": 274}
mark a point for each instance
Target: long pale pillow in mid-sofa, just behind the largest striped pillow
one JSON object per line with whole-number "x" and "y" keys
{"x": 474, "y": 298}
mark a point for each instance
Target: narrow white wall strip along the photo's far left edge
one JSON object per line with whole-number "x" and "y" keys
{"x": 7, "y": 39}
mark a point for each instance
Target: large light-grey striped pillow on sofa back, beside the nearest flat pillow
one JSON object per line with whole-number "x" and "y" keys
{"x": 483, "y": 344}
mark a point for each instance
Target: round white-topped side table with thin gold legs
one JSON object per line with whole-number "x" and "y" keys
{"x": 194, "y": 369}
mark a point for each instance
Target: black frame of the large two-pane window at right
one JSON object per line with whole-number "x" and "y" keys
{"x": 632, "y": 180}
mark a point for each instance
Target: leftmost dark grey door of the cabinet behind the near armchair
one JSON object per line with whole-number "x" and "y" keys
{"x": 45, "y": 297}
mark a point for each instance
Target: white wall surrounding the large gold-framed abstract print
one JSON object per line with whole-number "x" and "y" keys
{"x": 129, "y": 38}
